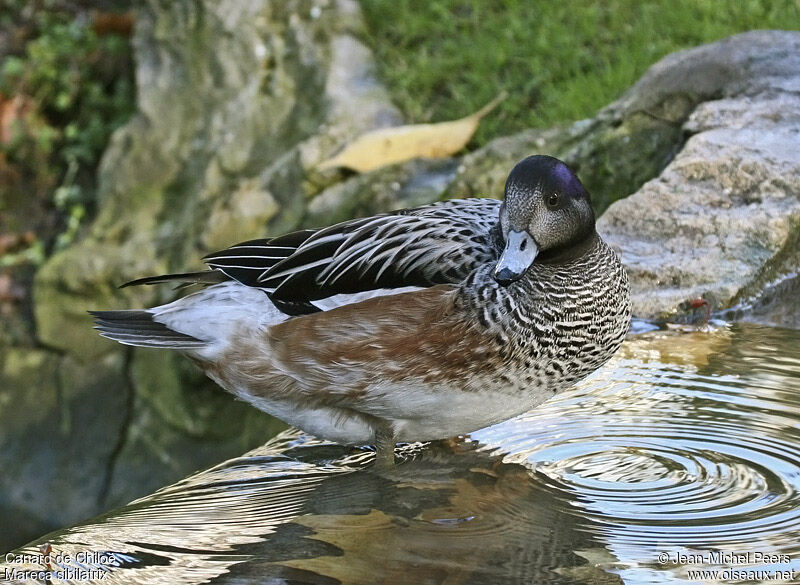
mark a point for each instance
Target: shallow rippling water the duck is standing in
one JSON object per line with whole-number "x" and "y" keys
{"x": 686, "y": 447}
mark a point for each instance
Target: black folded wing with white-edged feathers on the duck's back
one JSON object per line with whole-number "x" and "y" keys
{"x": 435, "y": 244}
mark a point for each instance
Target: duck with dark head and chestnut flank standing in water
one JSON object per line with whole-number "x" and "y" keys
{"x": 415, "y": 325}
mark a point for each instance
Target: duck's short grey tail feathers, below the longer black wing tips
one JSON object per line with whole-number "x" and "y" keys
{"x": 139, "y": 328}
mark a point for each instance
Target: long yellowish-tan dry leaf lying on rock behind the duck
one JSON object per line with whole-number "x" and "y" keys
{"x": 401, "y": 143}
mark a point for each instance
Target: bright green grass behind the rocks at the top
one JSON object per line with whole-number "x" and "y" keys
{"x": 560, "y": 61}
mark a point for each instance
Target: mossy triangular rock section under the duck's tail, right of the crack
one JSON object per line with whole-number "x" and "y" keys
{"x": 178, "y": 421}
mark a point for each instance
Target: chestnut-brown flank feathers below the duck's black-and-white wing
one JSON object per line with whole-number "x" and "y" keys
{"x": 383, "y": 340}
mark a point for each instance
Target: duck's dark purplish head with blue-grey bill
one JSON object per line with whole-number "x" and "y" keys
{"x": 546, "y": 217}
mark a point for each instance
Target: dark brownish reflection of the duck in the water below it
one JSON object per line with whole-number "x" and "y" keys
{"x": 451, "y": 514}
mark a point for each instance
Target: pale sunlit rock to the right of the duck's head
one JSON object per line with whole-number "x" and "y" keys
{"x": 722, "y": 220}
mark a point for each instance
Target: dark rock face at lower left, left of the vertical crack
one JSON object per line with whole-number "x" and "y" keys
{"x": 60, "y": 425}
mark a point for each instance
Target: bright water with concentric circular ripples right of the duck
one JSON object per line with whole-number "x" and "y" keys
{"x": 657, "y": 456}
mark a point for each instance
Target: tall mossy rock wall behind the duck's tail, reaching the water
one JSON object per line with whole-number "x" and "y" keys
{"x": 237, "y": 101}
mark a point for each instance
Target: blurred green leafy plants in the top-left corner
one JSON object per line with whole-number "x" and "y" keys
{"x": 73, "y": 88}
